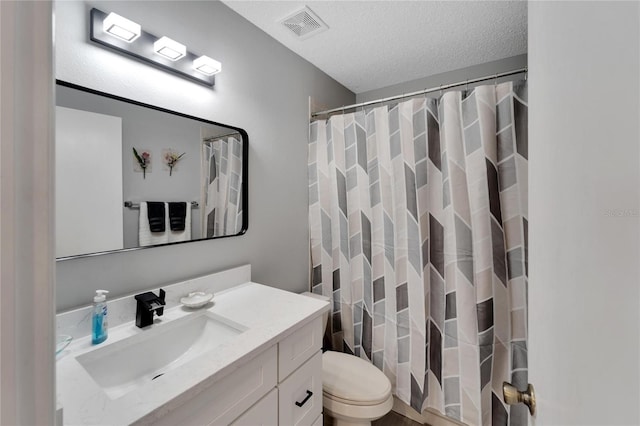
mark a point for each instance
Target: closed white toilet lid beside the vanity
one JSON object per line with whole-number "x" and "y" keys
{"x": 350, "y": 378}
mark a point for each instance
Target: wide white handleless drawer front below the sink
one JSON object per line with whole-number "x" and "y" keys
{"x": 228, "y": 397}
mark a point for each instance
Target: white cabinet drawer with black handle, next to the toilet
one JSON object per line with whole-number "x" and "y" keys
{"x": 300, "y": 395}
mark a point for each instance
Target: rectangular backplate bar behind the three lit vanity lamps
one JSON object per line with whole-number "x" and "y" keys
{"x": 143, "y": 49}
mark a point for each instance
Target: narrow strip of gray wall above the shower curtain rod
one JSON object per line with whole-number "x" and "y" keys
{"x": 450, "y": 77}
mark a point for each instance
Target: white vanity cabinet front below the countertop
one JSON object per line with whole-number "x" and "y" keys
{"x": 280, "y": 386}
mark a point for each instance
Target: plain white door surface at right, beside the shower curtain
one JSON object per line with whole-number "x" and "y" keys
{"x": 584, "y": 212}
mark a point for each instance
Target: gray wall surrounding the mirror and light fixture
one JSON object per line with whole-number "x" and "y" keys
{"x": 264, "y": 88}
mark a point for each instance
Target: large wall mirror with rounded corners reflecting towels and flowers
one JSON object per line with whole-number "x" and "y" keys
{"x": 132, "y": 176}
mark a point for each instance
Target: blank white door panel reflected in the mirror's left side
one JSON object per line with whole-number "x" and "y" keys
{"x": 88, "y": 182}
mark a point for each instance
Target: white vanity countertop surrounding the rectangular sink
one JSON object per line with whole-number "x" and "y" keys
{"x": 268, "y": 313}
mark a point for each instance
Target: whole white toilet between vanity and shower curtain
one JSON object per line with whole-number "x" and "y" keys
{"x": 354, "y": 392}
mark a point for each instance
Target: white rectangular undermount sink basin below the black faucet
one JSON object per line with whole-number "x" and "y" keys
{"x": 125, "y": 365}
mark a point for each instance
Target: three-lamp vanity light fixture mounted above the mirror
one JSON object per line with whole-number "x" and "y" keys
{"x": 127, "y": 37}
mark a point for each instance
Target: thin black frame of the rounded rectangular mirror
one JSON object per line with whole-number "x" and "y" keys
{"x": 245, "y": 169}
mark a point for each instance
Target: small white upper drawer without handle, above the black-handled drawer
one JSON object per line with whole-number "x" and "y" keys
{"x": 299, "y": 347}
